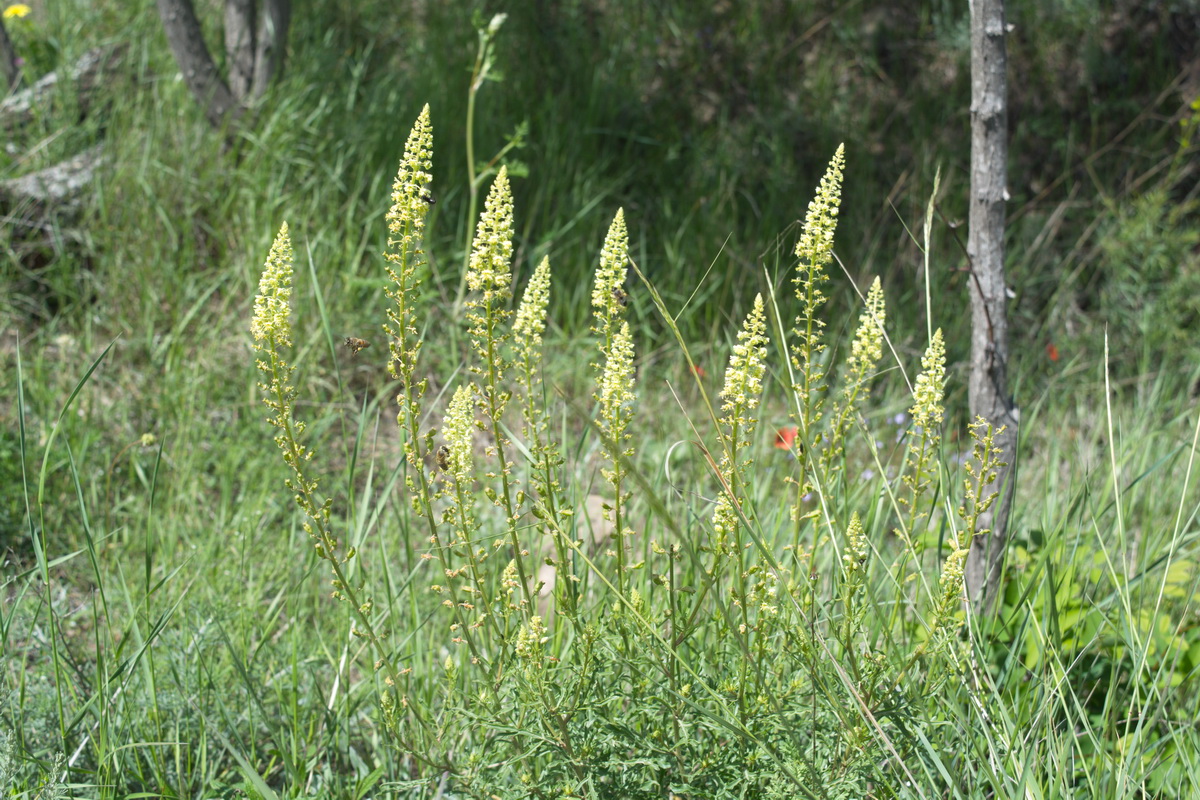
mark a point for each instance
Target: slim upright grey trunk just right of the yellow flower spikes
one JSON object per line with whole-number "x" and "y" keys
{"x": 989, "y": 322}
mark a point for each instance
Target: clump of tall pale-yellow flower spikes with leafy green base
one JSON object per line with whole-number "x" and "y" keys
{"x": 741, "y": 639}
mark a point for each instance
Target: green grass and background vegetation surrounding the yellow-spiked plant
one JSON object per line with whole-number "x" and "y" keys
{"x": 183, "y": 604}
